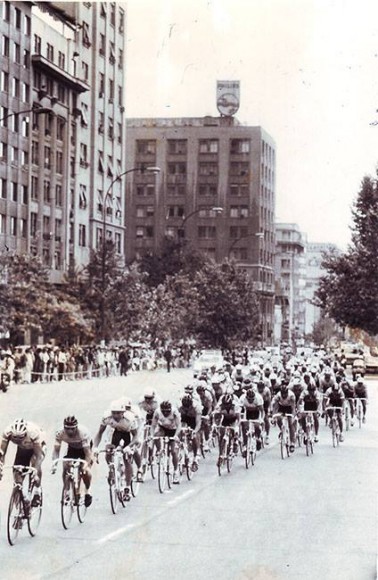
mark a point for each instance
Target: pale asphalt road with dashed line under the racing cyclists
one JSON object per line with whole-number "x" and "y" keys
{"x": 301, "y": 518}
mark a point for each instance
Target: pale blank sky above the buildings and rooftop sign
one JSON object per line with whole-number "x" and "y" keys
{"x": 308, "y": 72}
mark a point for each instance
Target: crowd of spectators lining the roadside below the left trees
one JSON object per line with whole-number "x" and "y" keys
{"x": 56, "y": 363}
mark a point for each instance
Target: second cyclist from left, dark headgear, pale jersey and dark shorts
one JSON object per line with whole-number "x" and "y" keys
{"x": 79, "y": 444}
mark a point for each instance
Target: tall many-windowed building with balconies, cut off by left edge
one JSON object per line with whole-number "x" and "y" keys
{"x": 65, "y": 59}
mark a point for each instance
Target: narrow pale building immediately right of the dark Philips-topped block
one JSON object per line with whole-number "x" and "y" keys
{"x": 290, "y": 273}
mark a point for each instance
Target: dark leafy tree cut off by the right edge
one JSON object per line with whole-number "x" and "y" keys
{"x": 349, "y": 290}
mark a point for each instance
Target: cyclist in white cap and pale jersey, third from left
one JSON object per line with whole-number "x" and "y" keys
{"x": 125, "y": 428}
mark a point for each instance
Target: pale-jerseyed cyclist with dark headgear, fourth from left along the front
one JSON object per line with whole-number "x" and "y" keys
{"x": 166, "y": 422}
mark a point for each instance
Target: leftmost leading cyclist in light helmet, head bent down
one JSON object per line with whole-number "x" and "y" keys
{"x": 31, "y": 446}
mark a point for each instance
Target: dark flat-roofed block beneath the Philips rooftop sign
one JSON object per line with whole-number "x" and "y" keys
{"x": 205, "y": 164}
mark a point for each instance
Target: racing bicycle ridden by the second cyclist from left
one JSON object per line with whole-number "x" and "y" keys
{"x": 73, "y": 492}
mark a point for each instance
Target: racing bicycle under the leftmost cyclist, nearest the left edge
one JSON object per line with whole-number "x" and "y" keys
{"x": 21, "y": 506}
